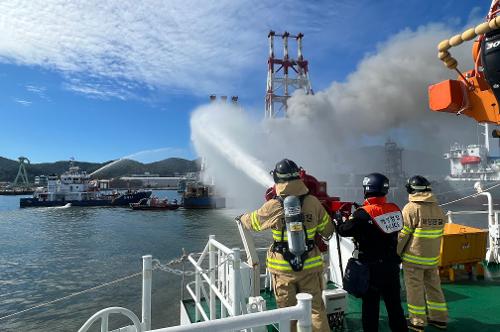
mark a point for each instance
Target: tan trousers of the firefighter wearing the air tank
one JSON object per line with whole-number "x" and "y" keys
{"x": 287, "y": 286}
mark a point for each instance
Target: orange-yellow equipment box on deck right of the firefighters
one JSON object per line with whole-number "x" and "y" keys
{"x": 462, "y": 244}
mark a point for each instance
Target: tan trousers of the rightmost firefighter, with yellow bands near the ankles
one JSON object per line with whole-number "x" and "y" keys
{"x": 424, "y": 295}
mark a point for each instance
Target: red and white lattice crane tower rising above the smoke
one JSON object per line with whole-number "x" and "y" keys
{"x": 285, "y": 75}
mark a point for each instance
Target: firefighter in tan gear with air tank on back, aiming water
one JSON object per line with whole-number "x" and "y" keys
{"x": 292, "y": 274}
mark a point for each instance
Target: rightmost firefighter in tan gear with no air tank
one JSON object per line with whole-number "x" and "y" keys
{"x": 419, "y": 246}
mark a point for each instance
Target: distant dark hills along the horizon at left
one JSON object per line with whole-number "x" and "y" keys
{"x": 166, "y": 167}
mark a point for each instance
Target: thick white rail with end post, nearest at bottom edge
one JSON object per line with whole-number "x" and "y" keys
{"x": 300, "y": 312}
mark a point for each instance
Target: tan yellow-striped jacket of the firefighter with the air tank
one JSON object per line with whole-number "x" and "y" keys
{"x": 271, "y": 216}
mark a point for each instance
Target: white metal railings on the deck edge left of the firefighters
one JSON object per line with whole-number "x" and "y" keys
{"x": 224, "y": 281}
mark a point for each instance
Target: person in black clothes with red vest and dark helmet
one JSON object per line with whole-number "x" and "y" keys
{"x": 374, "y": 227}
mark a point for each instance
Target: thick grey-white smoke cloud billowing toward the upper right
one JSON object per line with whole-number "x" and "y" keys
{"x": 388, "y": 93}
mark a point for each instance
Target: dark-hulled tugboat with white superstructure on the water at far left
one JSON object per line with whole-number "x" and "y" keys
{"x": 74, "y": 186}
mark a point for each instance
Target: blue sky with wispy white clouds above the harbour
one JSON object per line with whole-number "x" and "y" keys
{"x": 100, "y": 80}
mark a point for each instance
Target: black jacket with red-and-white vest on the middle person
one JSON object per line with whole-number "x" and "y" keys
{"x": 374, "y": 227}
